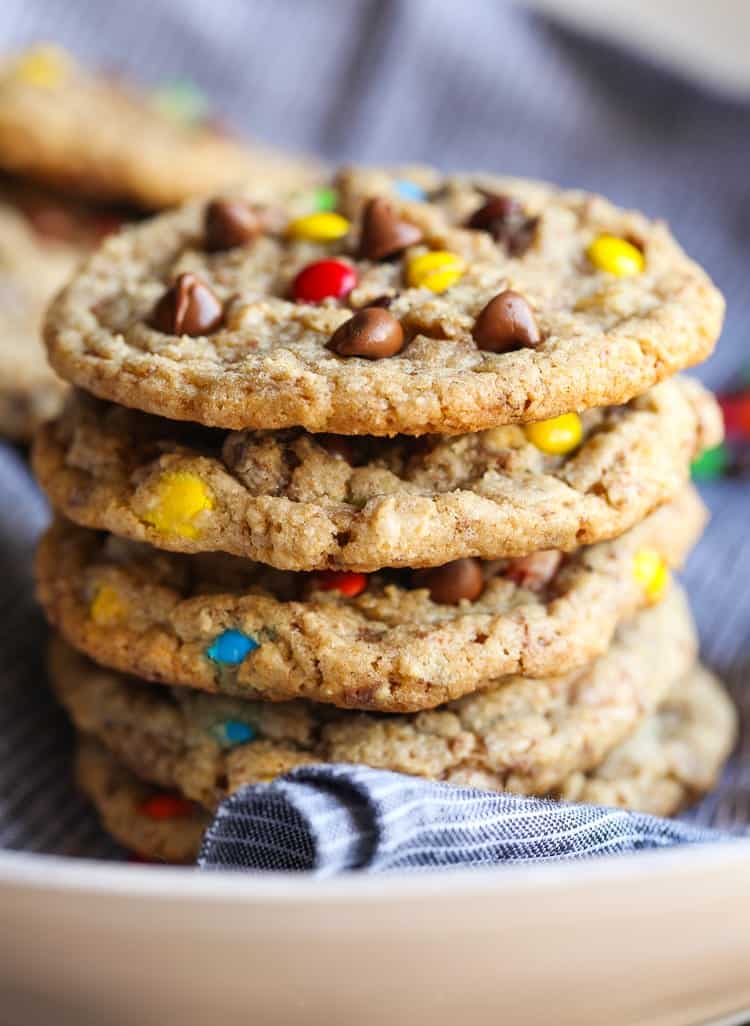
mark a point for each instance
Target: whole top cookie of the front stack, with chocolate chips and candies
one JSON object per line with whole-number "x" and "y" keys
{"x": 493, "y": 301}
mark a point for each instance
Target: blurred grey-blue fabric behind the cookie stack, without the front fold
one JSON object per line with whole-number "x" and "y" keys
{"x": 479, "y": 86}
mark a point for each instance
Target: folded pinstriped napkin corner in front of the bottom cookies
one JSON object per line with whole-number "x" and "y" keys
{"x": 329, "y": 819}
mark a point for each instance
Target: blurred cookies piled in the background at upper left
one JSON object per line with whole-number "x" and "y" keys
{"x": 81, "y": 154}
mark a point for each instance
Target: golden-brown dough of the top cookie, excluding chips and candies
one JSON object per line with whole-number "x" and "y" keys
{"x": 607, "y": 339}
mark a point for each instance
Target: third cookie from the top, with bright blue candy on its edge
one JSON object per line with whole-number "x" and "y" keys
{"x": 389, "y": 642}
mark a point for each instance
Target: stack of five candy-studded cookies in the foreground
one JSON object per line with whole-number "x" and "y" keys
{"x": 400, "y": 483}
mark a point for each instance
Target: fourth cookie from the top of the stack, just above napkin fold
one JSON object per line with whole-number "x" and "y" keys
{"x": 526, "y": 735}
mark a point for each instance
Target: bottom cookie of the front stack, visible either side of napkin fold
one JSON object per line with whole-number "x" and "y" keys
{"x": 659, "y": 778}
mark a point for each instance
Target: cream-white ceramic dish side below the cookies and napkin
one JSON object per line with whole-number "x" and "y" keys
{"x": 658, "y": 939}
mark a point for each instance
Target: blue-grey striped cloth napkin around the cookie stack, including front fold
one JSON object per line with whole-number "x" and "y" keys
{"x": 481, "y": 86}
